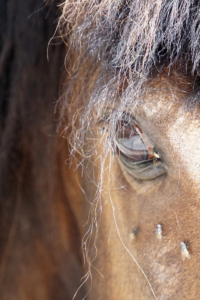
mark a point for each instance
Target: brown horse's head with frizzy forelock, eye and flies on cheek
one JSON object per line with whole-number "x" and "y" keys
{"x": 137, "y": 92}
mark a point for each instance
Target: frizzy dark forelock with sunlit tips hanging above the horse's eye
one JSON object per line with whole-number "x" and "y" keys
{"x": 117, "y": 46}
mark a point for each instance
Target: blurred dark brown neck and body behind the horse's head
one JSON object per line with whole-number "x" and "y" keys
{"x": 39, "y": 236}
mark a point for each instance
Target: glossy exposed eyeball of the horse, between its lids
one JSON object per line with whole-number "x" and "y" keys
{"x": 130, "y": 144}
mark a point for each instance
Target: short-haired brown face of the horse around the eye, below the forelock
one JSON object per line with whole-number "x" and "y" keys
{"x": 151, "y": 257}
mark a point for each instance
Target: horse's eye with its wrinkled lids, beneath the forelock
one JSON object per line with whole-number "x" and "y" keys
{"x": 135, "y": 151}
